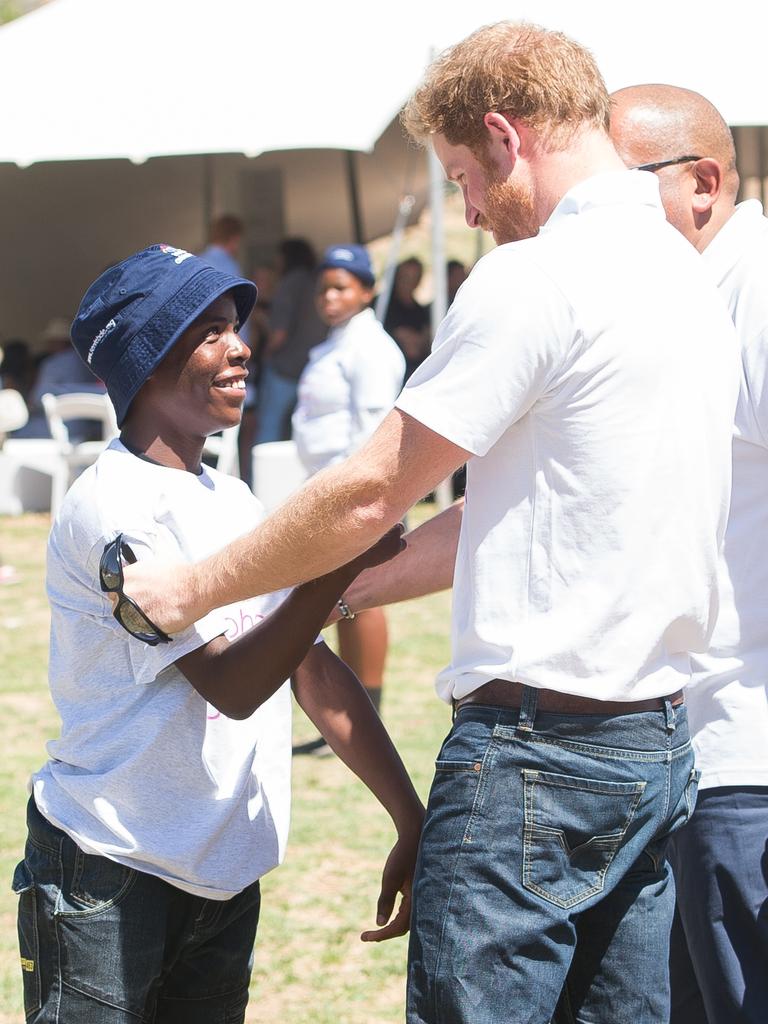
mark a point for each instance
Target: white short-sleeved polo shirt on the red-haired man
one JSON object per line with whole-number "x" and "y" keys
{"x": 593, "y": 372}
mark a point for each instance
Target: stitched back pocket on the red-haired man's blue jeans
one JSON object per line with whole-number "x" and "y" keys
{"x": 574, "y": 830}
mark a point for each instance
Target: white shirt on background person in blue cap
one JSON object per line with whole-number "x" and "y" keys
{"x": 347, "y": 390}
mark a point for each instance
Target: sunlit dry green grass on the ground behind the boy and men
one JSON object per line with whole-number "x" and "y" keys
{"x": 311, "y": 966}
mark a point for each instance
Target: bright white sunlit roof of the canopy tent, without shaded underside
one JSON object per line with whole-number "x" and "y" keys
{"x": 100, "y": 79}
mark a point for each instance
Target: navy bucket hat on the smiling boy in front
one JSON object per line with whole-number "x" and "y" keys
{"x": 136, "y": 312}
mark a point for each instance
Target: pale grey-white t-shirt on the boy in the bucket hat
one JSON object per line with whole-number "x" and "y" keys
{"x": 146, "y": 773}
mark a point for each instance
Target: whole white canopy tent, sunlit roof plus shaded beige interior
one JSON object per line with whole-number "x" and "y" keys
{"x": 117, "y": 80}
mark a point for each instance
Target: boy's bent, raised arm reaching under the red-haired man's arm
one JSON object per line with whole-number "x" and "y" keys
{"x": 238, "y": 677}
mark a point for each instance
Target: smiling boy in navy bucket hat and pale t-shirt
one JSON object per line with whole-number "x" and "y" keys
{"x": 167, "y": 795}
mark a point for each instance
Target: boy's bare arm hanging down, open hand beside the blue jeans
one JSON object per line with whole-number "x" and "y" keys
{"x": 333, "y": 699}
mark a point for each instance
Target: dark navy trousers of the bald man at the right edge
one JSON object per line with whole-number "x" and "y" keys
{"x": 719, "y": 949}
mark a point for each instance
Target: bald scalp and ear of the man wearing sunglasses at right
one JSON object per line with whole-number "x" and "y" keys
{"x": 653, "y": 123}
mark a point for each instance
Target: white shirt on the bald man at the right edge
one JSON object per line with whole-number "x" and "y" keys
{"x": 729, "y": 699}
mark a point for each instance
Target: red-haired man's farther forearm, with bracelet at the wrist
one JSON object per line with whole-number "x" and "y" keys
{"x": 425, "y": 568}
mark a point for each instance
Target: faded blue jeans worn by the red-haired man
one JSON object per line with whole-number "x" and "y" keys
{"x": 542, "y": 891}
